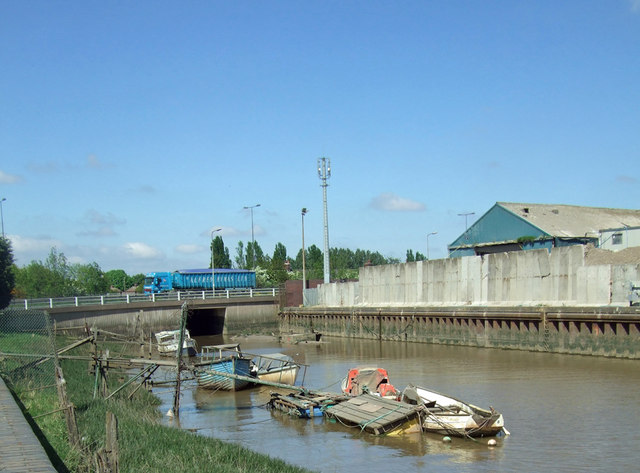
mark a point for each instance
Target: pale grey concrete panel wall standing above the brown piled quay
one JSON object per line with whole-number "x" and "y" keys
{"x": 536, "y": 277}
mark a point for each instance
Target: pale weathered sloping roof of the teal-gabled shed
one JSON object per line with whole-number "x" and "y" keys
{"x": 572, "y": 220}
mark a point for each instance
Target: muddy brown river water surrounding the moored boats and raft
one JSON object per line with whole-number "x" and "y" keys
{"x": 564, "y": 412}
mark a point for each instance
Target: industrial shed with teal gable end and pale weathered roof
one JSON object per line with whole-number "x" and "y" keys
{"x": 511, "y": 226}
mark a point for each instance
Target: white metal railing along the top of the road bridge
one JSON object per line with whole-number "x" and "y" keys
{"x": 81, "y": 301}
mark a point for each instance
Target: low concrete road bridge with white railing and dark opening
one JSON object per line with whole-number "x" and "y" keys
{"x": 209, "y": 313}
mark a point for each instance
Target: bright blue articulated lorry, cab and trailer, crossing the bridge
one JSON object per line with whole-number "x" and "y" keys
{"x": 199, "y": 279}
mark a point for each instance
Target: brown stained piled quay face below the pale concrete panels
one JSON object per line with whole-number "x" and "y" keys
{"x": 601, "y": 331}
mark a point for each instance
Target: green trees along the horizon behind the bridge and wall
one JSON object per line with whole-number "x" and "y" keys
{"x": 56, "y": 277}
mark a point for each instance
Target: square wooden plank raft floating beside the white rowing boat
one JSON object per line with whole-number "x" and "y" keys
{"x": 377, "y": 415}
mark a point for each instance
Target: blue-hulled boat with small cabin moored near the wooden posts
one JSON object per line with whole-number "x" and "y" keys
{"x": 223, "y": 367}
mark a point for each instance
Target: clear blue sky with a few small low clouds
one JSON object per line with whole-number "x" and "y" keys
{"x": 130, "y": 130}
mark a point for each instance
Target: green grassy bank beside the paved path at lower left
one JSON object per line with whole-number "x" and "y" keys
{"x": 144, "y": 444}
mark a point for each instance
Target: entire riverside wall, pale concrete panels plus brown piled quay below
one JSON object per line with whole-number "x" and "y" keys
{"x": 529, "y": 300}
